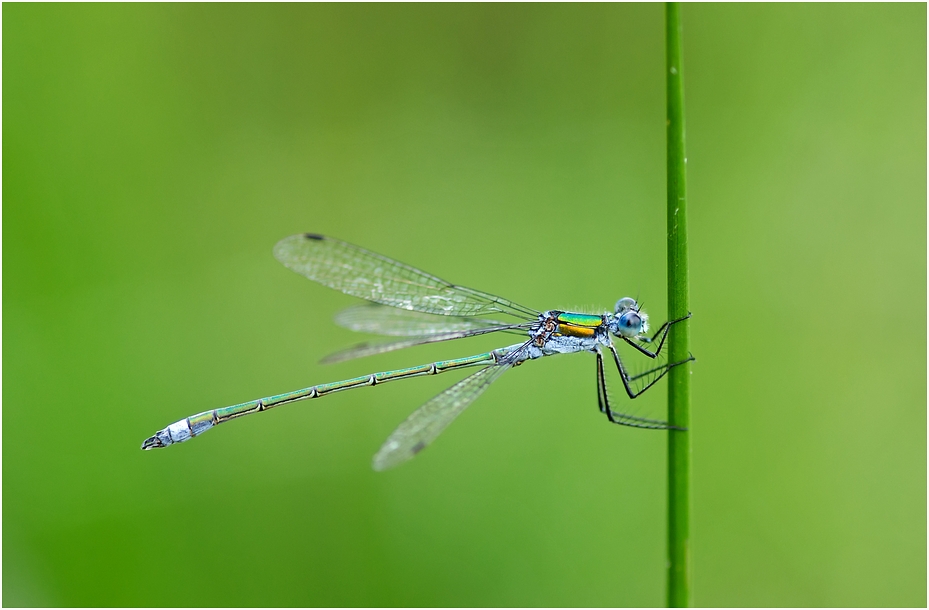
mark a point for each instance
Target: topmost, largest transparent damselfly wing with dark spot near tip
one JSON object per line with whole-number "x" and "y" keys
{"x": 364, "y": 274}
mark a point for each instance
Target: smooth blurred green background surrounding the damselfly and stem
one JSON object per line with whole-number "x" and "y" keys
{"x": 153, "y": 155}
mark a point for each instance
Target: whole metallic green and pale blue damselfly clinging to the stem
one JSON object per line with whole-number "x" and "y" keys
{"x": 409, "y": 303}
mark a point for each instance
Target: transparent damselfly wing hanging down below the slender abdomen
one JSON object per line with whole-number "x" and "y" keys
{"x": 428, "y": 421}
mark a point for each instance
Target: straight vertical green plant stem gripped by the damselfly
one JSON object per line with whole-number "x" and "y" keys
{"x": 679, "y": 569}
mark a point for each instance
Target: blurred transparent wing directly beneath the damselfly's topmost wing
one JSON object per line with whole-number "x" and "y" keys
{"x": 380, "y": 320}
